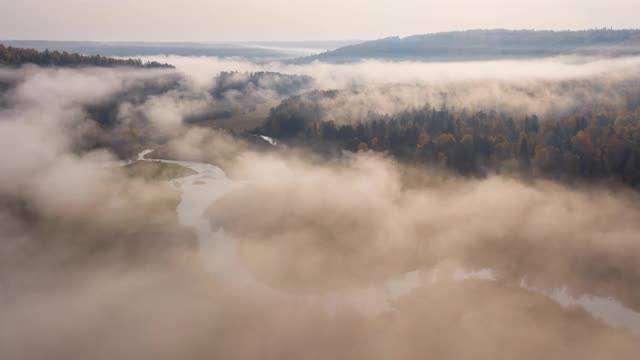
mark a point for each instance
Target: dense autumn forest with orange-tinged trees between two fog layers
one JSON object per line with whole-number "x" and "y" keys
{"x": 582, "y": 146}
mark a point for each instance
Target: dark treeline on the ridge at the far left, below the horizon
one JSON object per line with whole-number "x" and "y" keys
{"x": 12, "y": 56}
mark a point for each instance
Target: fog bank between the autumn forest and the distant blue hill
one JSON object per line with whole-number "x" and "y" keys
{"x": 546, "y": 87}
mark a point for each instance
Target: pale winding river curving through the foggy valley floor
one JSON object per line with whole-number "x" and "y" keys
{"x": 219, "y": 253}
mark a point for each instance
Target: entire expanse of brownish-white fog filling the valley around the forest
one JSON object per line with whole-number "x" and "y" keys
{"x": 95, "y": 263}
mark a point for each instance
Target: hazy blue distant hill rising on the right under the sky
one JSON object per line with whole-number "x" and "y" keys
{"x": 488, "y": 44}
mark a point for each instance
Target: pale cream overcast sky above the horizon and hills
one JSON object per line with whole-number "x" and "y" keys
{"x": 232, "y": 20}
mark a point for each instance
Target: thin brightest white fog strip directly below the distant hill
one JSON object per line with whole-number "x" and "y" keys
{"x": 335, "y": 75}
